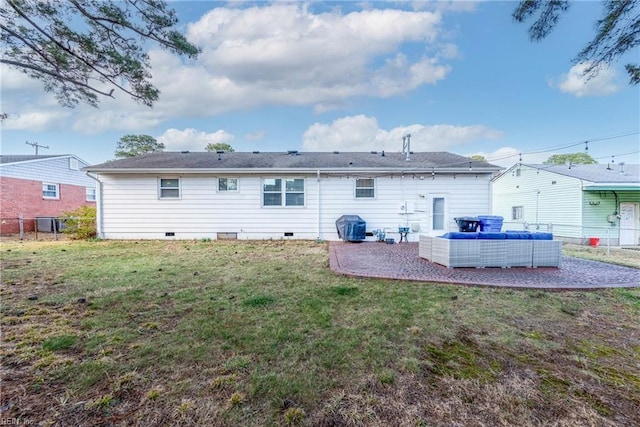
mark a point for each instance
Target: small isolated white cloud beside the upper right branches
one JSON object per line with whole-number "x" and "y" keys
{"x": 577, "y": 84}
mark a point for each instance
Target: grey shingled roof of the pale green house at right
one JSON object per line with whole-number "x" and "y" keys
{"x": 598, "y": 173}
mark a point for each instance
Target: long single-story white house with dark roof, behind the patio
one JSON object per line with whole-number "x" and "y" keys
{"x": 244, "y": 195}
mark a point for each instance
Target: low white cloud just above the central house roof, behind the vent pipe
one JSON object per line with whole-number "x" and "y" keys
{"x": 362, "y": 133}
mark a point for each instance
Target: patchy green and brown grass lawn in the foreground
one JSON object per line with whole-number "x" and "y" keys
{"x": 263, "y": 333}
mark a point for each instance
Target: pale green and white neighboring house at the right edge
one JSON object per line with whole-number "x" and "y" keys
{"x": 577, "y": 202}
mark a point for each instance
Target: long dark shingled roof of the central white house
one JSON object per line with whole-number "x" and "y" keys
{"x": 292, "y": 160}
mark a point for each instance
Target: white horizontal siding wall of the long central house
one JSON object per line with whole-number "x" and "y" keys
{"x": 131, "y": 208}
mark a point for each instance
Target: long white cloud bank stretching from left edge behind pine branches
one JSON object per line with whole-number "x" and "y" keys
{"x": 280, "y": 53}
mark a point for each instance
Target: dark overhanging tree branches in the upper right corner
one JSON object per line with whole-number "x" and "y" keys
{"x": 617, "y": 32}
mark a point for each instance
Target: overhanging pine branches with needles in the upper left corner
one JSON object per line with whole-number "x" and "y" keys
{"x": 81, "y": 49}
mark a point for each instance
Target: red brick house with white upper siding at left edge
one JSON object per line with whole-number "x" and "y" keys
{"x": 41, "y": 186}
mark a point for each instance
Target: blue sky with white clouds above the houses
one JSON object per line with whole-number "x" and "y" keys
{"x": 355, "y": 76}
